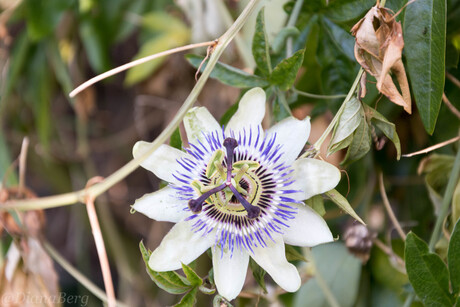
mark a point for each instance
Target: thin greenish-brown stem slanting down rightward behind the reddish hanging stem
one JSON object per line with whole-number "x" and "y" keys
{"x": 82, "y": 279}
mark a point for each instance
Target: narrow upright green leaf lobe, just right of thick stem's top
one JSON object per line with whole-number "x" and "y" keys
{"x": 260, "y": 45}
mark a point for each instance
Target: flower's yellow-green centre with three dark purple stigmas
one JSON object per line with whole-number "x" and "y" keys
{"x": 232, "y": 189}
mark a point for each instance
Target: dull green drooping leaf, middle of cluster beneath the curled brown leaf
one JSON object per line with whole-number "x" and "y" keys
{"x": 360, "y": 144}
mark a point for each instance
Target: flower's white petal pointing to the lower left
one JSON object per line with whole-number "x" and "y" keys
{"x": 180, "y": 245}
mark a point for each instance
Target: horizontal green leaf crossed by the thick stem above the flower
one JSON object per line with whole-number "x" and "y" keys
{"x": 228, "y": 74}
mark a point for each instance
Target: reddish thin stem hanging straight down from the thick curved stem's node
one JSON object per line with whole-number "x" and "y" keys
{"x": 100, "y": 246}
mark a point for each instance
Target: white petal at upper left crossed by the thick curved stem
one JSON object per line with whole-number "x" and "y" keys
{"x": 162, "y": 162}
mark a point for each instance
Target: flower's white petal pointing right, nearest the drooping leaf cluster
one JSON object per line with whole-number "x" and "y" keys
{"x": 313, "y": 177}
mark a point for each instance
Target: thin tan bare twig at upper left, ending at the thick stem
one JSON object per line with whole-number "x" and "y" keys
{"x": 135, "y": 63}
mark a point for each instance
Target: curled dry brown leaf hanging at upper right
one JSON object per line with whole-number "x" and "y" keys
{"x": 378, "y": 48}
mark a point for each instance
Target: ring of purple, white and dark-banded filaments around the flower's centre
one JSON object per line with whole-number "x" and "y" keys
{"x": 266, "y": 213}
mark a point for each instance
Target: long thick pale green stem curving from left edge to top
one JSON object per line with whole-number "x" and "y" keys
{"x": 99, "y": 188}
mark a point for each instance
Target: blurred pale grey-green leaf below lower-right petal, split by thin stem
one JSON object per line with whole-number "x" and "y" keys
{"x": 340, "y": 272}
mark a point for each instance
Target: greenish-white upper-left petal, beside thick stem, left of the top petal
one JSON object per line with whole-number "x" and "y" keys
{"x": 198, "y": 121}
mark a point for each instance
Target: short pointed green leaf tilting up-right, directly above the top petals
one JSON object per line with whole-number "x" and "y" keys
{"x": 285, "y": 73}
